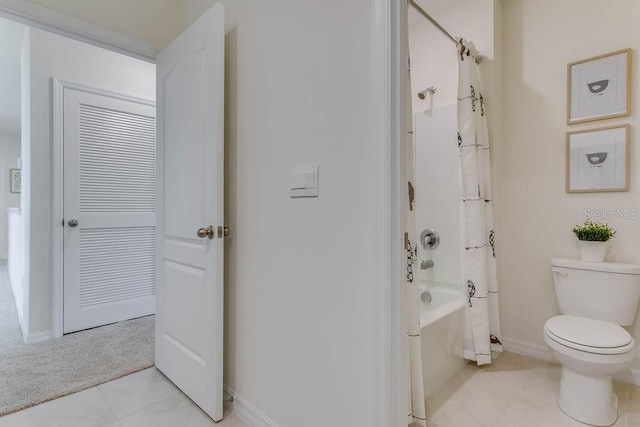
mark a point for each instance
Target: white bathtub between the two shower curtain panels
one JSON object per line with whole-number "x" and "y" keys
{"x": 441, "y": 335}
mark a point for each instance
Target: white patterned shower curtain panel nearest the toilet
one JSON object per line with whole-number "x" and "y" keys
{"x": 482, "y": 338}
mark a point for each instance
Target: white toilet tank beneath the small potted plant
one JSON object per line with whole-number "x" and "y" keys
{"x": 597, "y": 290}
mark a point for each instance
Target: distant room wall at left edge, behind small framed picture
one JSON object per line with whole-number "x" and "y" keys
{"x": 9, "y": 155}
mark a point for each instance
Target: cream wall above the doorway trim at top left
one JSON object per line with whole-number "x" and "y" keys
{"x": 154, "y": 22}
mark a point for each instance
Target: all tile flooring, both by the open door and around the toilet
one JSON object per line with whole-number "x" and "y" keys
{"x": 515, "y": 391}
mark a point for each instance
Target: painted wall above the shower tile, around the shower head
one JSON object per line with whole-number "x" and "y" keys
{"x": 433, "y": 55}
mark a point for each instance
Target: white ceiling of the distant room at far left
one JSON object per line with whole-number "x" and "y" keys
{"x": 11, "y": 36}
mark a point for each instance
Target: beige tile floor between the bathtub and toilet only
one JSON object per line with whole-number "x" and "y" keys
{"x": 514, "y": 391}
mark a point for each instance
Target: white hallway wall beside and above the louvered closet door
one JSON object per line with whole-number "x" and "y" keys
{"x": 50, "y": 56}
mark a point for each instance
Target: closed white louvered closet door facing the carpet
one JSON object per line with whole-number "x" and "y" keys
{"x": 109, "y": 190}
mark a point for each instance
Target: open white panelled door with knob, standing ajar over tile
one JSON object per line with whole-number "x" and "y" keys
{"x": 189, "y": 330}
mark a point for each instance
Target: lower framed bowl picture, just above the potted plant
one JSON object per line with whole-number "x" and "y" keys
{"x": 598, "y": 160}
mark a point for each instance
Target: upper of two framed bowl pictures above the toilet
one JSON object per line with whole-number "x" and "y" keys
{"x": 599, "y": 87}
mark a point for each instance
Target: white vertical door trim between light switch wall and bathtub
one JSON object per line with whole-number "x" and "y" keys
{"x": 389, "y": 29}
